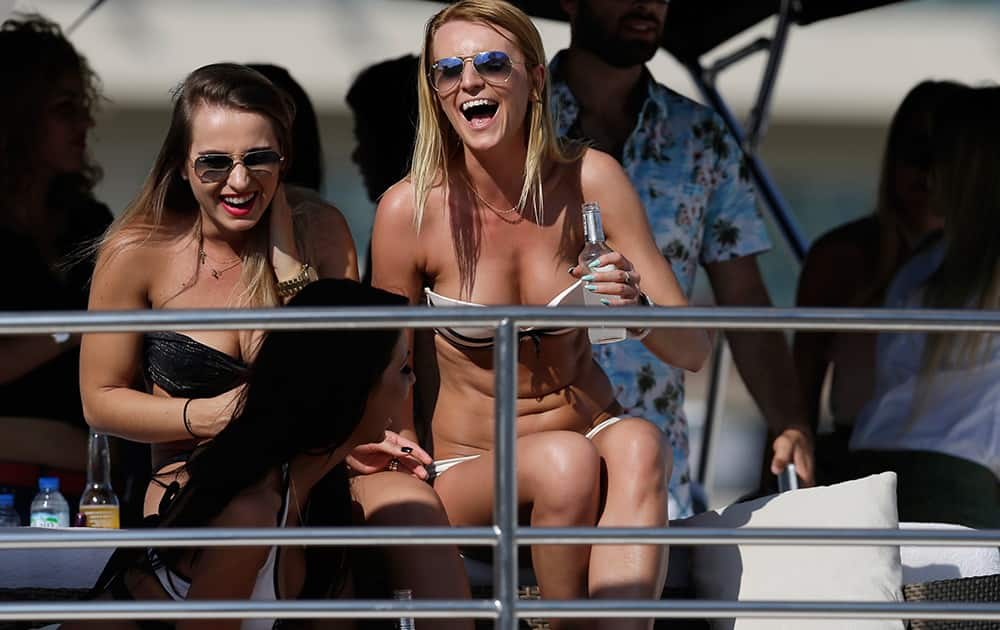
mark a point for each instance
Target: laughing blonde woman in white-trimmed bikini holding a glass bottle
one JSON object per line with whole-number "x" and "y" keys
{"x": 490, "y": 214}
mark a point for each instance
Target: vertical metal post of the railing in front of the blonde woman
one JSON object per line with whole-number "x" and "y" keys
{"x": 505, "y": 565}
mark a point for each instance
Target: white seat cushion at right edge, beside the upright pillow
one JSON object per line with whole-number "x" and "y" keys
{"x": 927, "y": 564}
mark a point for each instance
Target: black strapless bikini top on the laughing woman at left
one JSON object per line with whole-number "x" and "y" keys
{"x": 186, "y": 368}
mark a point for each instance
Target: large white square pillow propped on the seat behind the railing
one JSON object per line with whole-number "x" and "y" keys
{"x": 800, "y": 573}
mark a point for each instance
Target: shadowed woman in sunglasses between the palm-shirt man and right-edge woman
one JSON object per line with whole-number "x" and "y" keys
{"x": 852, "y": 266}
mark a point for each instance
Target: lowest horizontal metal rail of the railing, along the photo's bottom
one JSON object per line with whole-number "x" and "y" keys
{"x": 487, "y": 609}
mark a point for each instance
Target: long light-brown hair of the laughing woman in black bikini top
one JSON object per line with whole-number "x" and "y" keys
{"x": 230, "y": 86}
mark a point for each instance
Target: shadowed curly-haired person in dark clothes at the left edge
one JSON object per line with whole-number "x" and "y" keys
{"x": 47, "y": 214}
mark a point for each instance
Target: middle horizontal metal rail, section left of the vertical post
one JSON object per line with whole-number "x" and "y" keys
{"x": 243, "y": 537}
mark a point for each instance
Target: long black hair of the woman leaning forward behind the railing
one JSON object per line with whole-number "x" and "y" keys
{"x": 306, "y": 394}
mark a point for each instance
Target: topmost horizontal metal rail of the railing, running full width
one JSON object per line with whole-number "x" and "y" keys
{"x": 818, "y": 319}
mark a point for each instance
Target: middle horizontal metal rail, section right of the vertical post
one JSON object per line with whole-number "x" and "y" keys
{"x": 688, "y": 536}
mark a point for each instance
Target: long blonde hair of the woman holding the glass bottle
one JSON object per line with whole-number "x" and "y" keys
{"x": 437, "y": 142}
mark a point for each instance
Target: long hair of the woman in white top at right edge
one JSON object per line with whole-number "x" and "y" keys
{"x": 965, "y": 189}
